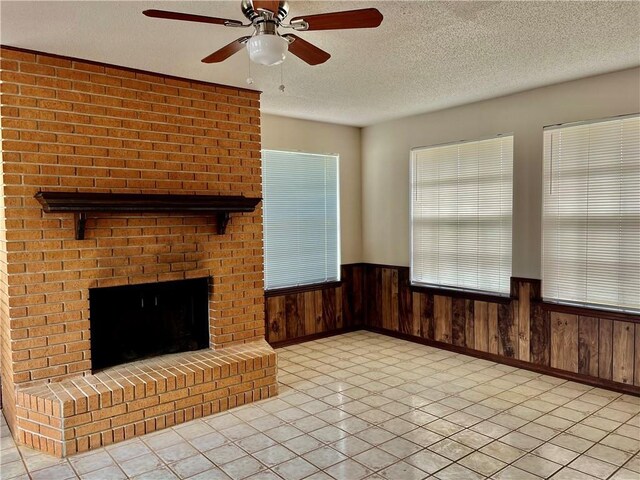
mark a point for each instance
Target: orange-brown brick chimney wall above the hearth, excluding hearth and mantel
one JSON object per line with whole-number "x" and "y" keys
{"x": 77, "y": 126}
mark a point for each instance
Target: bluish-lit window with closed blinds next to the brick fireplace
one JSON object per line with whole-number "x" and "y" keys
{"x": 301, "y": 223}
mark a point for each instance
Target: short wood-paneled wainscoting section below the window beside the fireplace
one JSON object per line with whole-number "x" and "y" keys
{"x": 298, "y": 314}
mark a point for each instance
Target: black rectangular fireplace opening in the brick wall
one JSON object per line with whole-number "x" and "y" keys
{"x": 133, "y": 322}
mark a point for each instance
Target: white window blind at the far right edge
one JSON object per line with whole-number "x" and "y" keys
{"x": 591, "y": 220}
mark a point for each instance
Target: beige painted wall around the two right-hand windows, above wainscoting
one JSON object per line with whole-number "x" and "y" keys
{"x": 386, "y": 146}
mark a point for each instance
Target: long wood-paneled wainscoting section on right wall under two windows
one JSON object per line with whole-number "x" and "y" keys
{"x": 520, "y": 327}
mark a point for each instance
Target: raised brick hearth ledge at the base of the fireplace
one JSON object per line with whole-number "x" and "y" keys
{"x": 118, "y": 403}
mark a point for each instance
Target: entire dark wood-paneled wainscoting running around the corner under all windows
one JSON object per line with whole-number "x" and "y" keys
{"x": 597, "y": 347}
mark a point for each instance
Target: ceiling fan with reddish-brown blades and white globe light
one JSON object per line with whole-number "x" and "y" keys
{"x": 266, "y": 45}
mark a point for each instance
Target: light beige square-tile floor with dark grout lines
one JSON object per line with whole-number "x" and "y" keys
{"x": 363, "y": 405}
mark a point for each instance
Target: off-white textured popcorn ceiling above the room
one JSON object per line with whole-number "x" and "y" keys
{"x": 425, "y": 56}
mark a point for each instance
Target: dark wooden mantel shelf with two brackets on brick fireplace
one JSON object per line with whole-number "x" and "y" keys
{"x": 83, "y": 203}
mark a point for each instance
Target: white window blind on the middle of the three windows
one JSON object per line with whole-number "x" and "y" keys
{"x": 461, "y": 200}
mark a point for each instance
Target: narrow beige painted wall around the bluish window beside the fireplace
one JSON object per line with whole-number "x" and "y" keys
{"x": 283, "y": 133}
